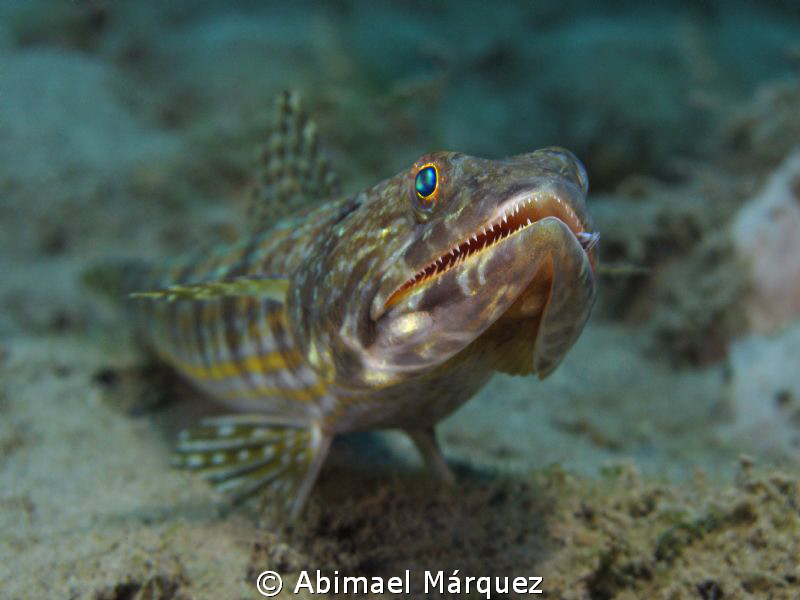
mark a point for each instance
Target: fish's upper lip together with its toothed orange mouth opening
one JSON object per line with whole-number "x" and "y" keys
{"x": 551, "y": 200}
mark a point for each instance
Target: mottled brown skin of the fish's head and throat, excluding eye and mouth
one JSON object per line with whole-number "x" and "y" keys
{"x": 413, "y": 378}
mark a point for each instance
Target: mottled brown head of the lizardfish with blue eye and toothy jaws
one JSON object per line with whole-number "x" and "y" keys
{"x": 459, "y": 250}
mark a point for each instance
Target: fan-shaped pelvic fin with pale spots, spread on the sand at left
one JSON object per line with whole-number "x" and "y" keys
{"x": 244, "y": 454}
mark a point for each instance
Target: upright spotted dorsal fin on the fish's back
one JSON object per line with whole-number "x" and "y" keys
{"x": 293, "y": 171}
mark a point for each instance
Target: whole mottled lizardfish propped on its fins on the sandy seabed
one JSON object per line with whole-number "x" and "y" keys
{"x": 388, "y": 308}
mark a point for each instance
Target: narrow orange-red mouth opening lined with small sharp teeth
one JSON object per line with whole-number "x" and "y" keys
{"x": 515, "y": 216}
